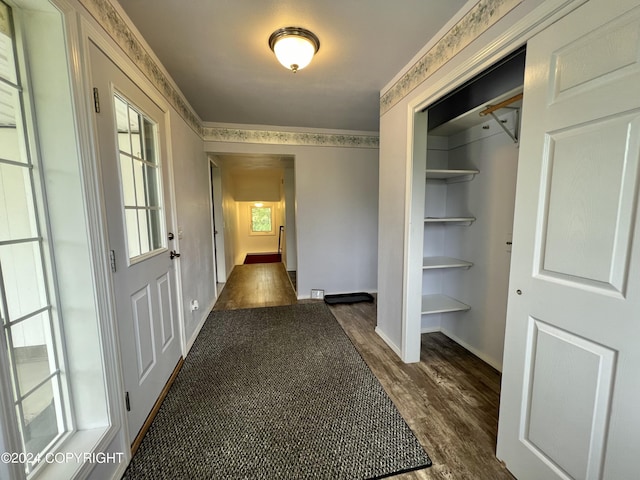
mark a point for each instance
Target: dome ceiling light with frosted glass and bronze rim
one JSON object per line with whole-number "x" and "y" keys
{"x": 294, "y": 47}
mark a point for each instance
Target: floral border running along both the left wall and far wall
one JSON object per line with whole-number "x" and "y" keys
{"x": 110, "y": 19}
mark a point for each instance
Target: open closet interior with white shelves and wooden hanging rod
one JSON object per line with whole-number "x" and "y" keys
{"x": 469, "y": 194}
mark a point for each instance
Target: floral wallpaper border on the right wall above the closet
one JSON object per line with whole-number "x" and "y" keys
{"x": 482, "y": 16}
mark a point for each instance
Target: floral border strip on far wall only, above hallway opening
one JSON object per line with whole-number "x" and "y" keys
{"x": 239, "y": 135}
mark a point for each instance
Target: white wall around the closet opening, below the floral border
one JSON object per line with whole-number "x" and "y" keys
{"x": 395, "y": 158}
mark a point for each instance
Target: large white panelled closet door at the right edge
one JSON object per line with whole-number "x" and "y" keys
{"x": 570, "y": 403}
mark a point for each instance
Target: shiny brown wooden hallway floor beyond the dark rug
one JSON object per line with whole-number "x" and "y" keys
{"x": 256, "y": 285}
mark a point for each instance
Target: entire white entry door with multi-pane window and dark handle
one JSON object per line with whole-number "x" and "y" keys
{"x": 132, "y": 149}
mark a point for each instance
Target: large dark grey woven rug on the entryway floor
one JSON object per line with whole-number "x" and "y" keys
{"x": 276, "y": 393}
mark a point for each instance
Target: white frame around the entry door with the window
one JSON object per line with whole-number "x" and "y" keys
{"x": 106, "y": 294}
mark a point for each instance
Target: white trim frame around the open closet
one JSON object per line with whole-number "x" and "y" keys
{"x": 512, "y": 39}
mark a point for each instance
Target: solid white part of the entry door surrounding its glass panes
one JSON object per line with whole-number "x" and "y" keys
{"x": 145, "y": 288}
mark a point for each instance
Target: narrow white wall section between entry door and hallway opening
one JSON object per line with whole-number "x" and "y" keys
{"x": 194, "y": 221}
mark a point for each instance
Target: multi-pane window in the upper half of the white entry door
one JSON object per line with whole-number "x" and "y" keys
{"x": 140, "y": 179}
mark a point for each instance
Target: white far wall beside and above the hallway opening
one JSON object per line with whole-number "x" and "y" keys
{"x": 336, "y": 213}
